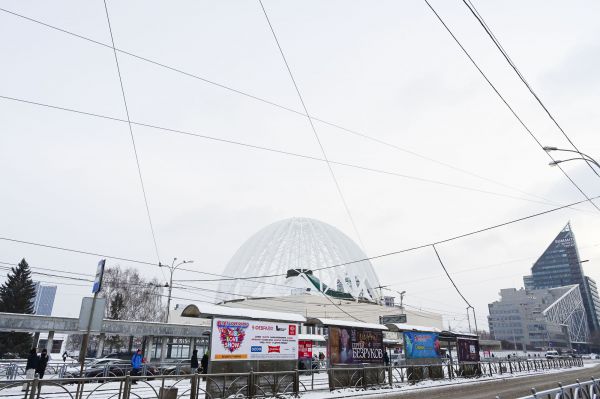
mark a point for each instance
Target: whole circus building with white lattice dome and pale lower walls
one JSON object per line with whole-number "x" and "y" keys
{"x": 309, "y": 267}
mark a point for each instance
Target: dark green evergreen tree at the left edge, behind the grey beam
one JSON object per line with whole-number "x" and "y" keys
{"x": 16, "y": 296}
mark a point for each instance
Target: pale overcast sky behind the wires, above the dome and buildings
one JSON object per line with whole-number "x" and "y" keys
{"x": 386, "y": 69}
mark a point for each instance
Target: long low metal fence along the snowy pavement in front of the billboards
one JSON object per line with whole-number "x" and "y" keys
{"x": 264, "y": 384}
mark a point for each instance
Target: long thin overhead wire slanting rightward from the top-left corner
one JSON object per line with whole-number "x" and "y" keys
{"x": 270, "y": 103}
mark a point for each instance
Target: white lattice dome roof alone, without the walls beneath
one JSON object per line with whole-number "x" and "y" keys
{"x": 299, "y": 243}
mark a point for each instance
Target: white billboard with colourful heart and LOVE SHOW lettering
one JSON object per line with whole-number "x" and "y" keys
{"x": 234, "y": 339}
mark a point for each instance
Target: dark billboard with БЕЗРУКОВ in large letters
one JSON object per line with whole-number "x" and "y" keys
{"x": 347, "y": 345}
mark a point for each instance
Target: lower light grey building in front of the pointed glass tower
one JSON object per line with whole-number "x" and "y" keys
{"x": 540, "y": 319}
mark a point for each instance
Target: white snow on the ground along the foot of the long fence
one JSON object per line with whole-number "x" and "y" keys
{"x": 150, "y": 389}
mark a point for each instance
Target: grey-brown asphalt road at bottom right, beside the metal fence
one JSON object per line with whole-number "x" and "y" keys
{"x": 505, "y": 388}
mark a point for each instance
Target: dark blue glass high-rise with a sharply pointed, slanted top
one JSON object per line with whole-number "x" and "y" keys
{"x": 559, "y": 266}
